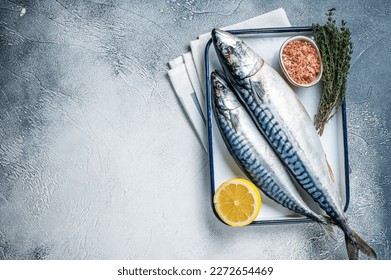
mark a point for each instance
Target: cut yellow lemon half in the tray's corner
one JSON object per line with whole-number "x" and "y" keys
{"x": 237, "y": 202}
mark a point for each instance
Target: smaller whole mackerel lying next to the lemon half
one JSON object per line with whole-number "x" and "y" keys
{"x": 252, "y": 152}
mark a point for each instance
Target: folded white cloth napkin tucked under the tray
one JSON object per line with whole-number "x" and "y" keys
{"x": 187, "y": 72}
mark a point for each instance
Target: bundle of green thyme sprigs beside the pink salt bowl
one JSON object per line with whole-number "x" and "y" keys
{"x": 335, "y": 48}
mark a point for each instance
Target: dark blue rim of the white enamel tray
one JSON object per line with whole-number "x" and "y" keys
{"x": 282, "y": 30}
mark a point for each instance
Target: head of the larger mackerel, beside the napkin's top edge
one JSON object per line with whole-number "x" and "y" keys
{"x": 235, "y": 56}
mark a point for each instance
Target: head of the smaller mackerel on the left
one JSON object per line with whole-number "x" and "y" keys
{"x": 224, "y": 98}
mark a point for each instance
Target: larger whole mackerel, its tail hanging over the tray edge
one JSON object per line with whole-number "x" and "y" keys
{"x": 283, "y": 120}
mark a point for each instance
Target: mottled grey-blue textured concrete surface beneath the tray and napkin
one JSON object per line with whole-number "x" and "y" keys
{"x": 97, "y": 160}
